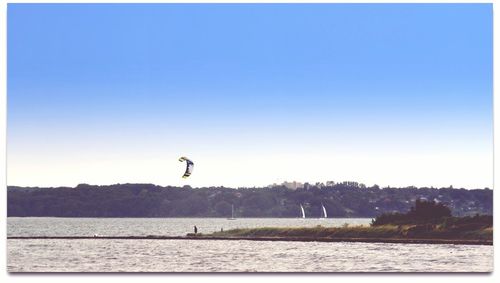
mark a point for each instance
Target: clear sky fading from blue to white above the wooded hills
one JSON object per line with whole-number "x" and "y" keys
{"x": 254, "y": 94}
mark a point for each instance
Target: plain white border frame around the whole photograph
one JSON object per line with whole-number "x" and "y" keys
{"x": 223, "y": 278}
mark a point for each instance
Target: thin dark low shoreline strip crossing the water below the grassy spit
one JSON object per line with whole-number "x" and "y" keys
{"x": 286, "y": 239}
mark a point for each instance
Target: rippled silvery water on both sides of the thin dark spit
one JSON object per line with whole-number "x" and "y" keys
{"x": 219, "y": 256}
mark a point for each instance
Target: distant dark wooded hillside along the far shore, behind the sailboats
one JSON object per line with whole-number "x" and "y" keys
{"x": 147, "y": 200}
